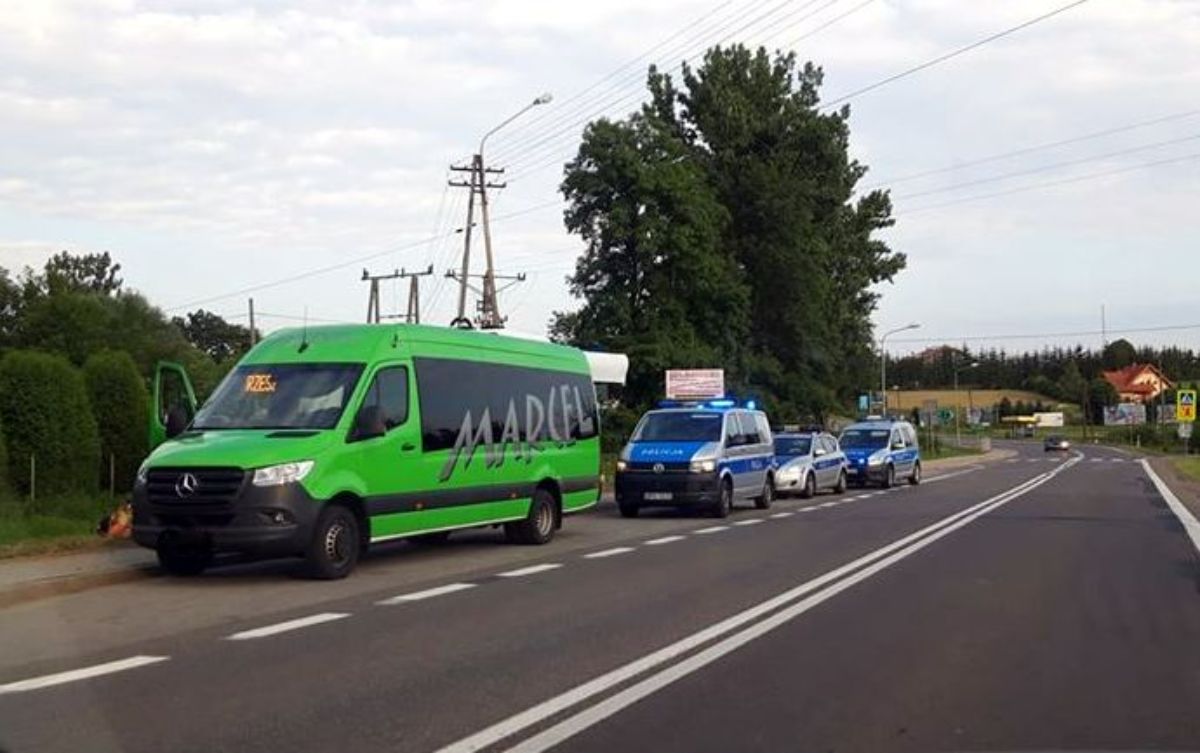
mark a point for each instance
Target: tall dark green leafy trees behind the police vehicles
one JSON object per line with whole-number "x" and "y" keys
{"x": 722, "y": 228}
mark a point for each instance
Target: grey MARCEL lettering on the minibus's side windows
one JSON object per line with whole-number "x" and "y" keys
{"x": 521, "y": 432}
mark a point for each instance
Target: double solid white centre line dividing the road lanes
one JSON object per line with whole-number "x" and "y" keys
{"x": 881, "y": 558}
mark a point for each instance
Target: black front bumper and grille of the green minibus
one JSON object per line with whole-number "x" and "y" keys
{"x": 223, "y": 514}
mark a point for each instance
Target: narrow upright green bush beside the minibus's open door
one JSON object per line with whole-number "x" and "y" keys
{"x": 121, "y": 405}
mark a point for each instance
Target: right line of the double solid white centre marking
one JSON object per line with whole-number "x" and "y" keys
{"x": 589, "y": 718}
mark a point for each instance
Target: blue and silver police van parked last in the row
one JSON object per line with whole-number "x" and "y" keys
{"x": 881, "y": 453}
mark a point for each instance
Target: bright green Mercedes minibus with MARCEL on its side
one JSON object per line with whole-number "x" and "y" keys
{"x": 325, "y": 441}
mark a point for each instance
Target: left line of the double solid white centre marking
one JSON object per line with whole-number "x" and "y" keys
{"x": 553, "y": 707}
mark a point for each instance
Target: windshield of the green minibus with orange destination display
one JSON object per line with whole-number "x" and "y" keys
{"x": 290, "y": 396}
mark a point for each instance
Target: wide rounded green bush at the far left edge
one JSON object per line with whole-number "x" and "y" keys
{"x": 45, "y": 411}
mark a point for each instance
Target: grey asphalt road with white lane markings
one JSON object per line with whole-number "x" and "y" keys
{"x": 1037, "y": 604}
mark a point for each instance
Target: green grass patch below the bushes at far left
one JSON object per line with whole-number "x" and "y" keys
{"x": 55, "y": 525}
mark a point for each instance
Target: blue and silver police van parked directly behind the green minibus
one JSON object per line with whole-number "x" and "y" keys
{"x": 705, "y": 456}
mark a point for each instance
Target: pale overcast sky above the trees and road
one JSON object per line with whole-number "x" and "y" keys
{"x": 220, "y": 146}
